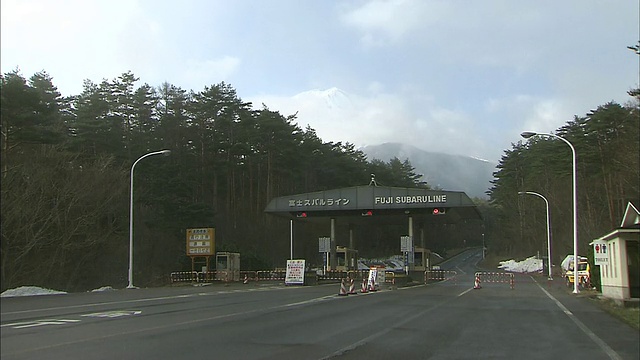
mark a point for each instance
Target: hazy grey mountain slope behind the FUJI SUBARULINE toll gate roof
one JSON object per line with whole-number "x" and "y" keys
{"x": 440, "y": 171}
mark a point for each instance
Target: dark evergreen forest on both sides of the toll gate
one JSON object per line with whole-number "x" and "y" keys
{"x": 66, "y": 163}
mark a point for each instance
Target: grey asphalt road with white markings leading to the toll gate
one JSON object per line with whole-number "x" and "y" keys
{"x": 445, "y": 320}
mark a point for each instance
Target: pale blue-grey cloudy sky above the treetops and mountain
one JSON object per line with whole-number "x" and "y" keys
{"x": 460, "y": 77}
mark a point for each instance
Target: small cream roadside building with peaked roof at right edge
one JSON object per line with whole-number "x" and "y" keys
{"x": 617, "y": 253}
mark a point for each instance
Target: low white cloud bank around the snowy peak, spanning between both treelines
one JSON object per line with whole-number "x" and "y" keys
{"x": 375, "y": 116}
